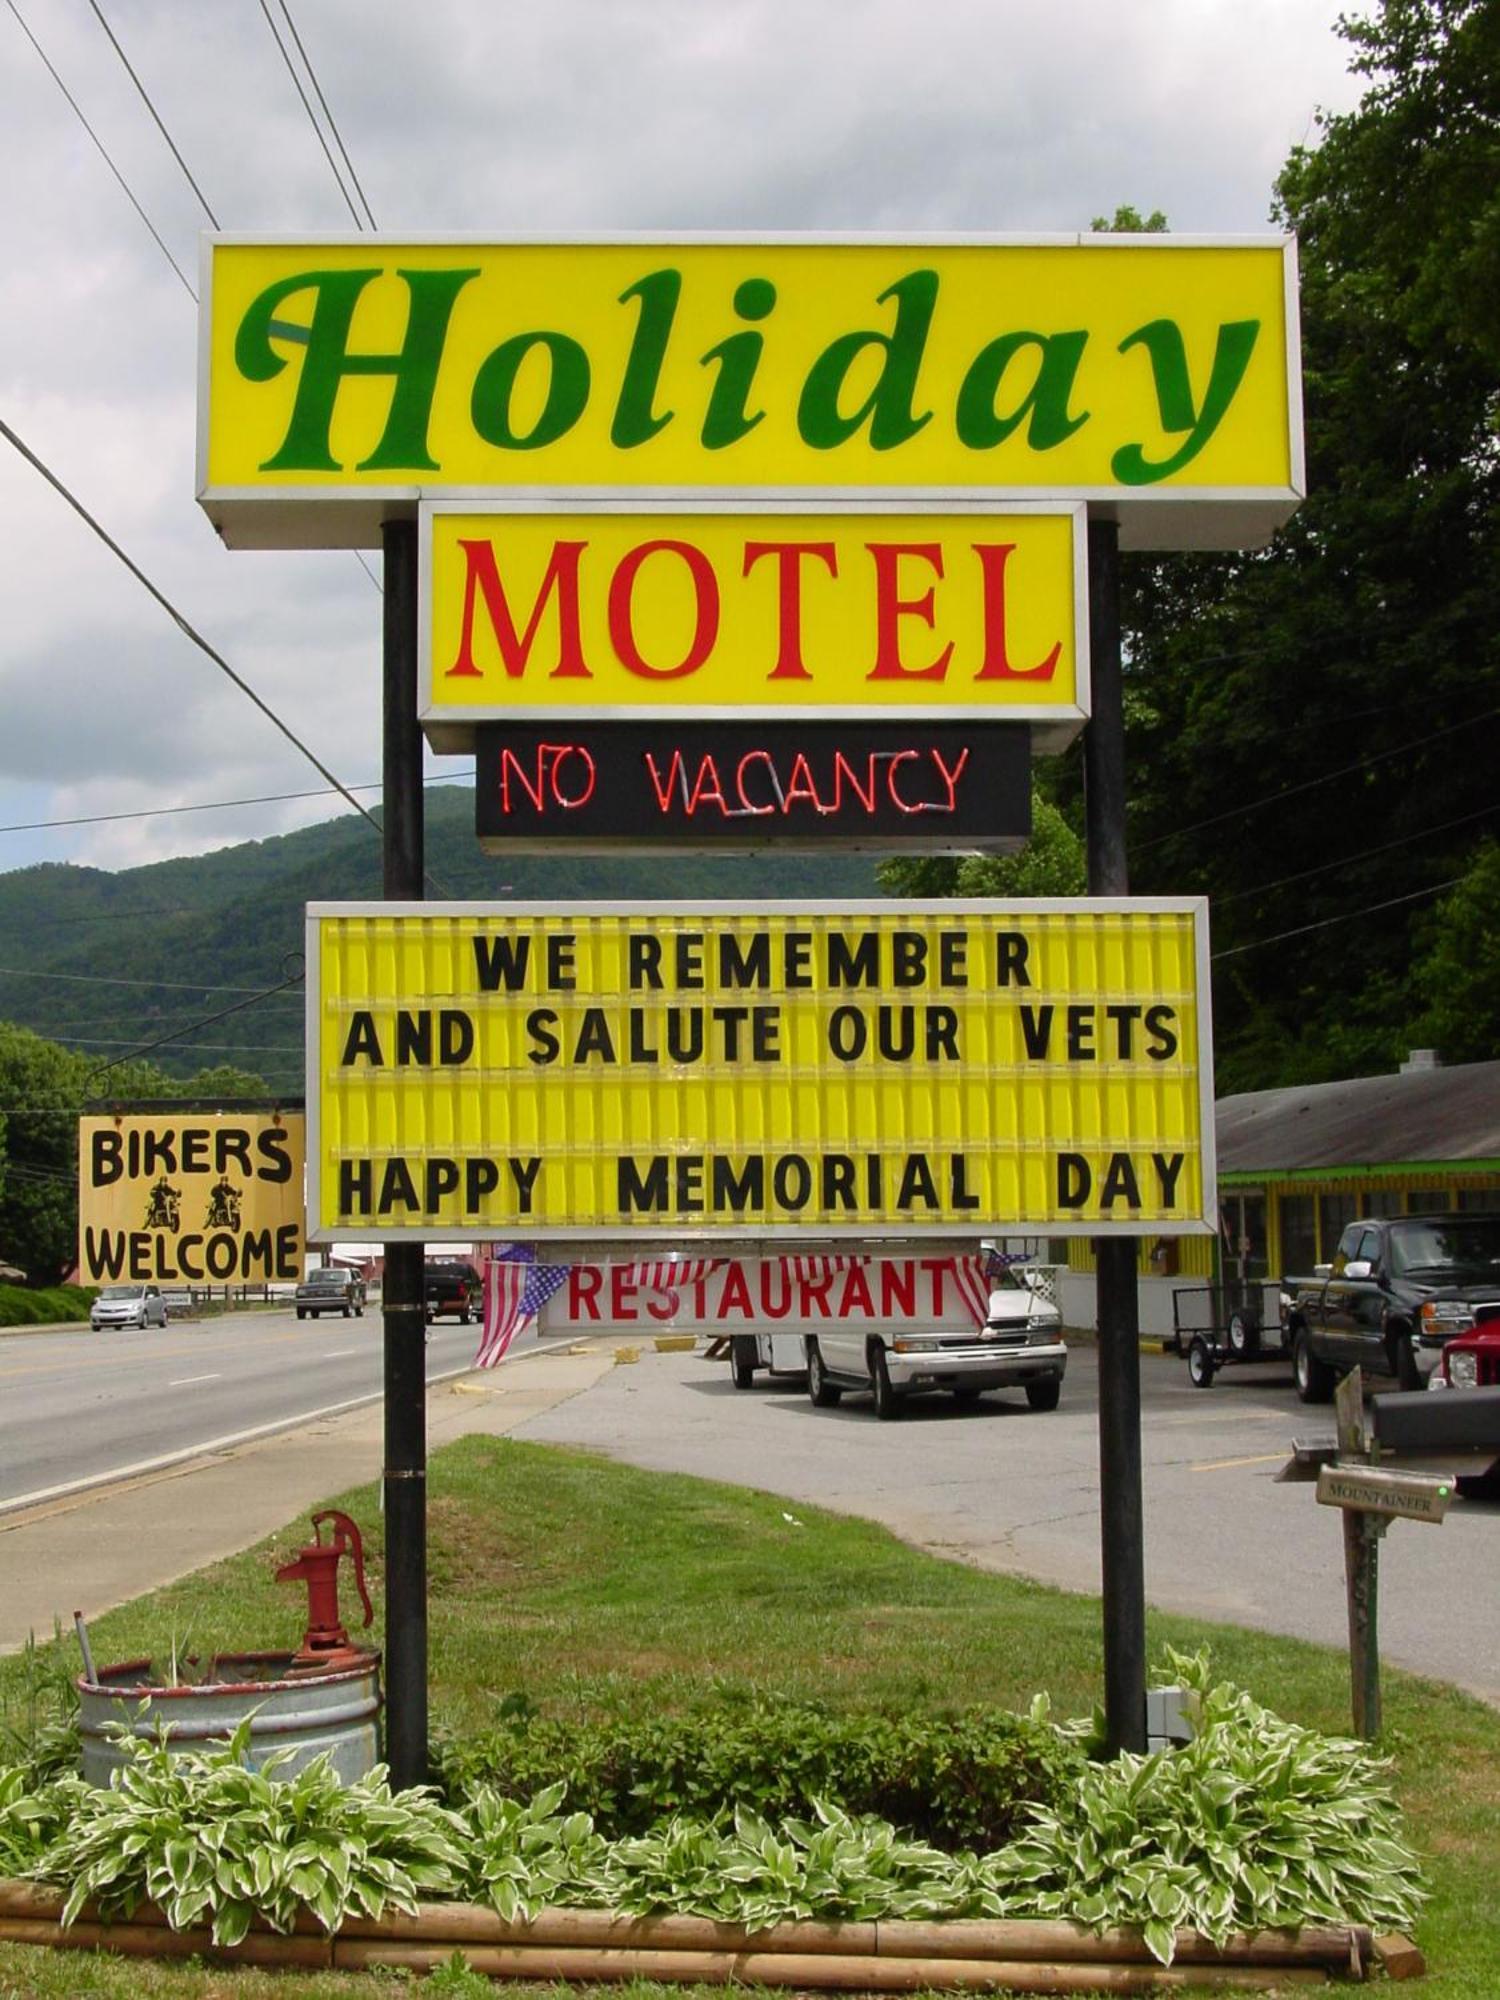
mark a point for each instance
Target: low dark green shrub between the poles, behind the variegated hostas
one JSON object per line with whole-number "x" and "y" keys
{"x": 955, "y": 1781}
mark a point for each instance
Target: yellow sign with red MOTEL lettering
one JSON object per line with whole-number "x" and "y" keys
{"x": 753, "y": 615}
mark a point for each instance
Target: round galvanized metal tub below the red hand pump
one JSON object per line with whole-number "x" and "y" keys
{"x": 305, "y": 1713}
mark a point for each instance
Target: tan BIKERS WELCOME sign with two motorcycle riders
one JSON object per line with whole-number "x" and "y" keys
{"x": 191, "y": 1197}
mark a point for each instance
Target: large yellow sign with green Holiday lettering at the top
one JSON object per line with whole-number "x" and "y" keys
{"x": 1155, "y": 373}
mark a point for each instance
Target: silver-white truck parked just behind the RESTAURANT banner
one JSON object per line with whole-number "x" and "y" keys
{"x": 1019, "y": 1347}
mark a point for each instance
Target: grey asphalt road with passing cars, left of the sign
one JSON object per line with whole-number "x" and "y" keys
{"x": 81, "y": 1405}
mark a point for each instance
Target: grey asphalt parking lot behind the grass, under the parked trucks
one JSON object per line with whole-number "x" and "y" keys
{"x": 1019, "y": 1491}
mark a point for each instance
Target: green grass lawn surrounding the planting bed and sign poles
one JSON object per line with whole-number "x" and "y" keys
{"x": 597, "y": 1587}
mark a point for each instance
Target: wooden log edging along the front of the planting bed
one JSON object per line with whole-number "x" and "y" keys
{"x": 593, "y": 1947}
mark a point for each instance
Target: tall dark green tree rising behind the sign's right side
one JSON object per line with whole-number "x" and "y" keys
{"x": 1309, "y": 727}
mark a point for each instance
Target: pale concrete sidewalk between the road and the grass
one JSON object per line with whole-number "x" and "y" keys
{"x": 115, "y": 1543}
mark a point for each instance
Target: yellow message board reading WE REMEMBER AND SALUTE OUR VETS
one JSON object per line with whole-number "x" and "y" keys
{"x": 931, "y": 1069}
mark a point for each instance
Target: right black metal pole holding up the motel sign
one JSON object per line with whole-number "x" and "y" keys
{"x": 1123, "y": 1525}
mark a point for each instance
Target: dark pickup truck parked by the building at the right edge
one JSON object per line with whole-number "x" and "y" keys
{"x": 1399, "y": 1291}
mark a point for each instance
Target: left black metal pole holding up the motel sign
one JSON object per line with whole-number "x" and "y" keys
{"x": 405, "y": 1329}
